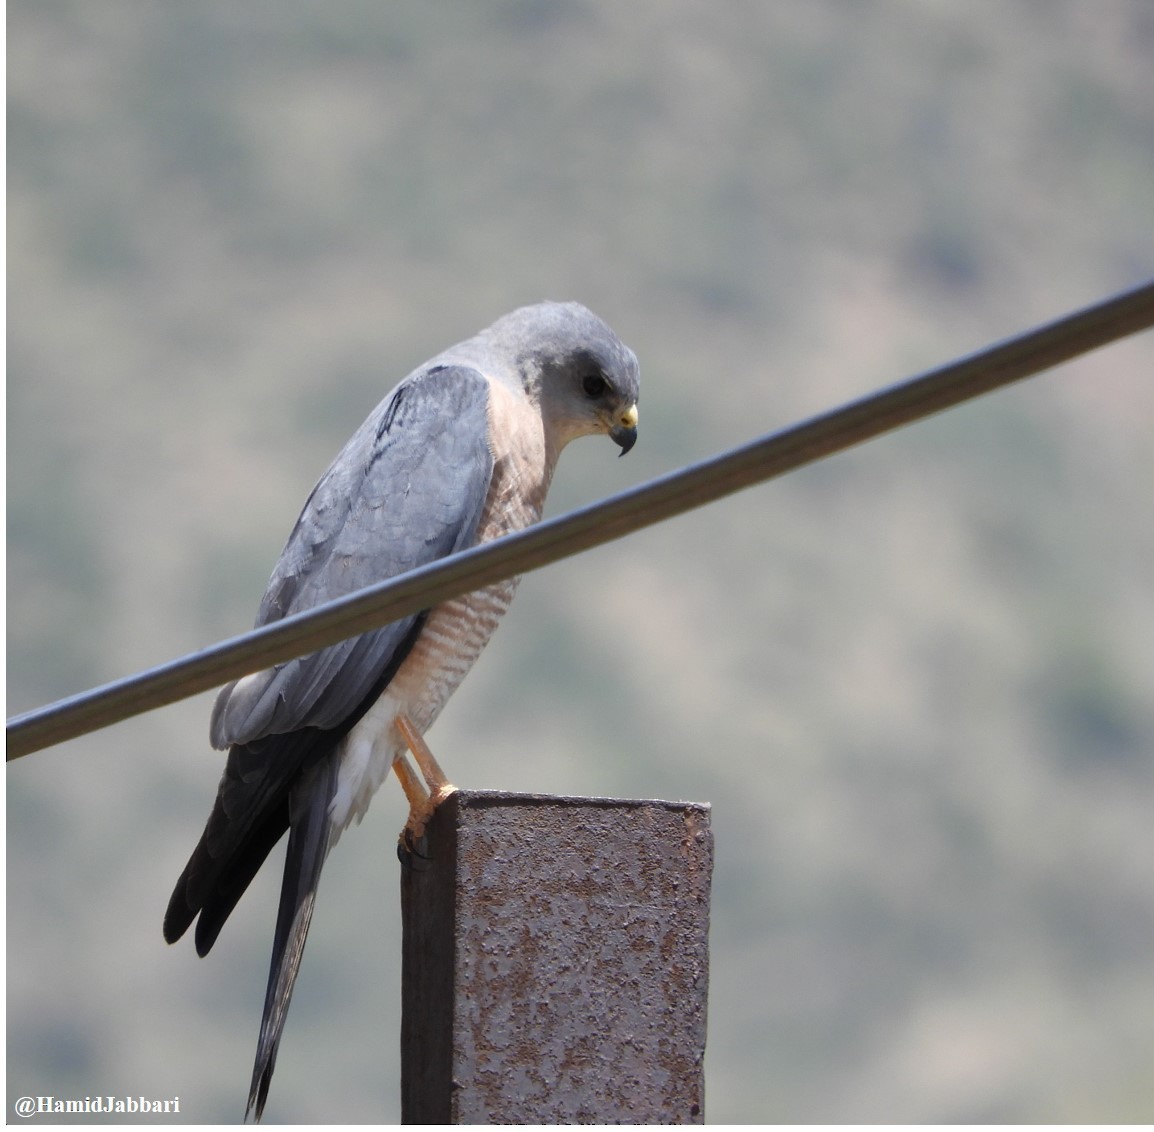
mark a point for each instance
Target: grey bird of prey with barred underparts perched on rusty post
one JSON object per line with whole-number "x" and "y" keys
{"x": 462, "y": 452}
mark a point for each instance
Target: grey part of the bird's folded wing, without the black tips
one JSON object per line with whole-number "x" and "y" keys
{"x": 407, "y": 490}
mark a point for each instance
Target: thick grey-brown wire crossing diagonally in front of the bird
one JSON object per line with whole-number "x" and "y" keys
{"x": 662, "y": 499}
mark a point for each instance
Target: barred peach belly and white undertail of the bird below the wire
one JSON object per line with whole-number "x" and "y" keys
{"x": 451, "y": 642}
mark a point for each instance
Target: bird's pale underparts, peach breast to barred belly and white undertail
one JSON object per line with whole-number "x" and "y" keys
{"x": 456, "y": 632}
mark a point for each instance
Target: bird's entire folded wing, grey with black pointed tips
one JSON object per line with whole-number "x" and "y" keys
{"x": 407, "y": 490}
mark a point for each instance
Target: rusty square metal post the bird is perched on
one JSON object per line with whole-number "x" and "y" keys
{"x": 557, "y": 963}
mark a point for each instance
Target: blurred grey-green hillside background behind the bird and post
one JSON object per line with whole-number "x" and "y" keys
{"x": 915, "y": 681}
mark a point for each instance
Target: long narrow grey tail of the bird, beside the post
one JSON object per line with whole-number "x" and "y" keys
{"x": 309, "y": 844}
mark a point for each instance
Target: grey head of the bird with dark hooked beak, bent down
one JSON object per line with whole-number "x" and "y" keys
{"x": 583, "y": 377}
